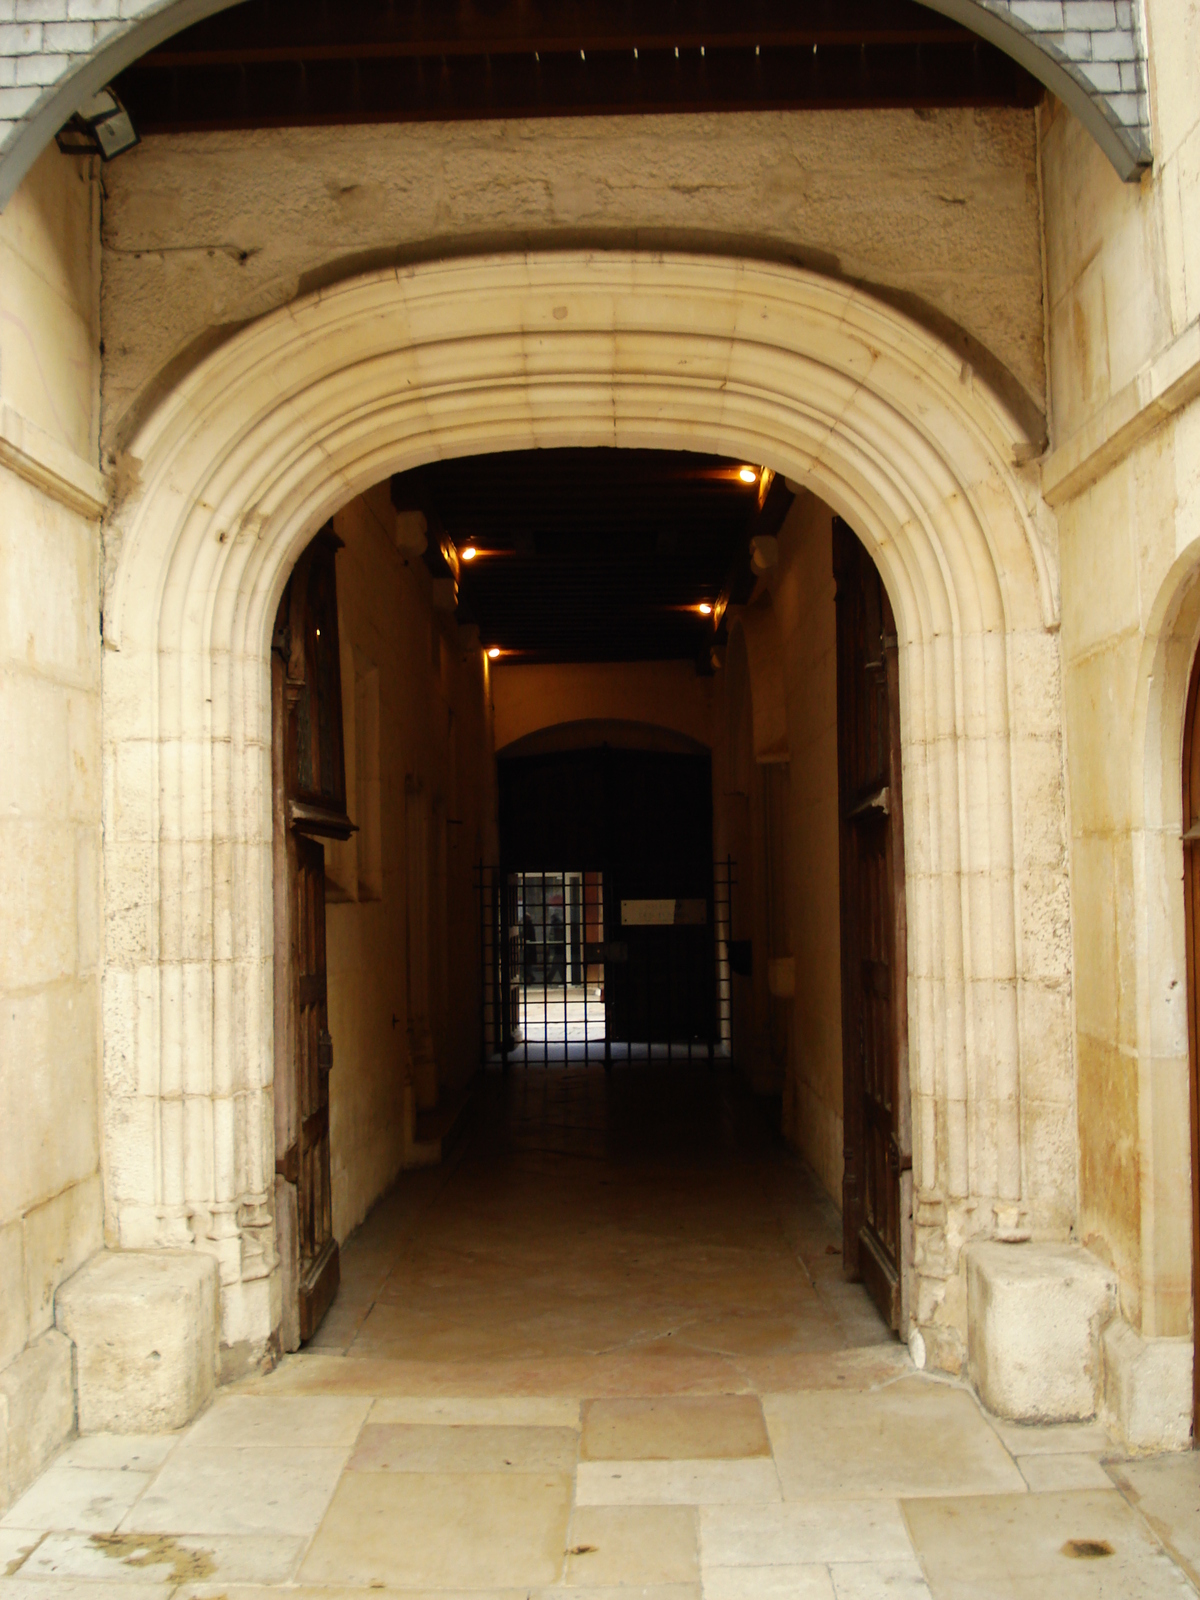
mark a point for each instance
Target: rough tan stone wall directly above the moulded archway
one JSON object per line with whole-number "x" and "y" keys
{"x": 937, "y": 210}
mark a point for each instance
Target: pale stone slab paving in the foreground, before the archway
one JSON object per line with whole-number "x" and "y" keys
{"x": 905, "y": 1490}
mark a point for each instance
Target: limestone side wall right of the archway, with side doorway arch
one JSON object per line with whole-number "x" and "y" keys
{"x": 1124, "y": 474}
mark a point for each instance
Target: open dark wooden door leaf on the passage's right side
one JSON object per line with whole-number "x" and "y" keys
{"x": 874, "y": 945}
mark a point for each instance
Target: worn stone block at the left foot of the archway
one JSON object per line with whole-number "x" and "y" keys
{"x": 146, "y": 1330}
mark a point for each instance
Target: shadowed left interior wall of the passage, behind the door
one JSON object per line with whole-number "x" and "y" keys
{"x": 415, "y": 716}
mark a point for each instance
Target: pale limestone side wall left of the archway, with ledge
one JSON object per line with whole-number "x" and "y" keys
{"x": 50, "y": 793}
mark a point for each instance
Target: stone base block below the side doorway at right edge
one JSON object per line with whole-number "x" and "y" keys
{"x": 1148, "y": 1390}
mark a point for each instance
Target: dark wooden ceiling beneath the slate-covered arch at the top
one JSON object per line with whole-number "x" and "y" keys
{"x": 276, "y": 63}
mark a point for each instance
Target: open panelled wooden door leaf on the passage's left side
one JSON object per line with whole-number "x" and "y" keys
{"x": 310, "y": 788}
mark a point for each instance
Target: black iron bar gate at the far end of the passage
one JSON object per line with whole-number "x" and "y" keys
{"x": 582, "y": 969}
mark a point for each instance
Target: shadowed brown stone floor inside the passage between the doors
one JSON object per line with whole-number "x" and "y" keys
{"x": 647, "y": 1225}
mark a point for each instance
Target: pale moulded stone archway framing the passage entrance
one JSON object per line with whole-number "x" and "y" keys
{"x": 255, "y": 449}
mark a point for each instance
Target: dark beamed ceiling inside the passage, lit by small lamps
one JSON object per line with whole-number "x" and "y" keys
{"x": 596, "y": 554}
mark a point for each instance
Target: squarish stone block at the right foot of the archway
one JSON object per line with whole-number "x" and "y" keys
{"x": 1034, "y": 1322}
